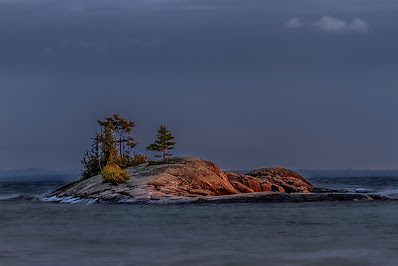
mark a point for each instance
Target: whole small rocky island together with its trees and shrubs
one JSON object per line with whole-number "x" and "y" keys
{"x": 111, "y": 174}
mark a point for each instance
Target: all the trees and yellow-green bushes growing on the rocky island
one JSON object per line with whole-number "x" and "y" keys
{"x": 112, "y": 147}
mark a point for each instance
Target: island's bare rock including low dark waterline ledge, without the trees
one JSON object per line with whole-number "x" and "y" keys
{"x": 189, "y": 179}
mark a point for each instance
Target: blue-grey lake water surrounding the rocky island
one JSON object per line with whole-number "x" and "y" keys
{"x": 328, "y": 233}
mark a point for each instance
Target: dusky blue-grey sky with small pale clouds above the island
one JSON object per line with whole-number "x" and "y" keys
{"x": 308, "y": 84}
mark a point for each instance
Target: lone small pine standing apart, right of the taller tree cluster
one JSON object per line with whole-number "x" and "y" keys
{"x": 163, "y": 143}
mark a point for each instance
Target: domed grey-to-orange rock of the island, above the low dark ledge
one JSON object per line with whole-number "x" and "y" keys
{"x": 183, "y": 177}
